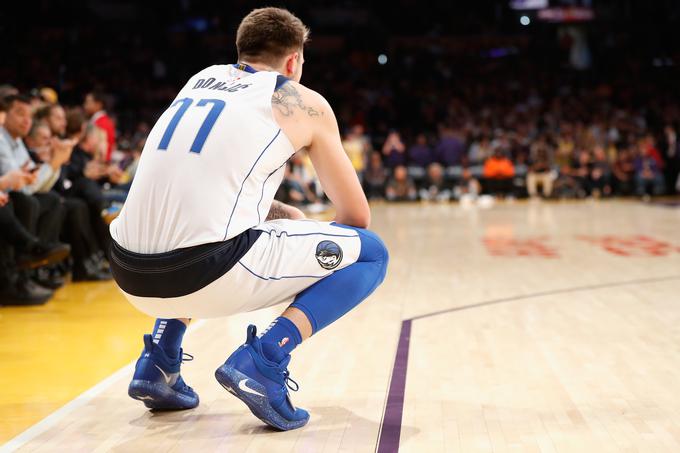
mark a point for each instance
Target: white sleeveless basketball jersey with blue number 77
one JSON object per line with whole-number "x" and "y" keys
{"x": 210, "y": 166}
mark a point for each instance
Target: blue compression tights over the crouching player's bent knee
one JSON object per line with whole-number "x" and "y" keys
{"x": 330, "y": 298}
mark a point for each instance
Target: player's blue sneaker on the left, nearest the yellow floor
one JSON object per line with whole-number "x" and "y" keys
{"x": 157, "y": 382}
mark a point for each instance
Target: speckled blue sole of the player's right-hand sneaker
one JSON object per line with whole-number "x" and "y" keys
{"x": 229, "y": 378}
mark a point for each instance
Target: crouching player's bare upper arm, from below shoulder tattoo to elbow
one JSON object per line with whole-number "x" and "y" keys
{"x": 335, "y": 171}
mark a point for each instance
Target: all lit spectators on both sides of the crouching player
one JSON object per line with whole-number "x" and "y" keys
{"x": 65, "y": 172}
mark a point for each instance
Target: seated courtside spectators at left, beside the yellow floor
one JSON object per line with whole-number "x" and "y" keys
{"x": 62, "y": 177}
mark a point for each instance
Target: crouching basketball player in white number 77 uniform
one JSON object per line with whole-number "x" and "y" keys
{"x": 195, "y": 239}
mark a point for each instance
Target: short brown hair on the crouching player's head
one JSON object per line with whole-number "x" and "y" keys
{"x": 268, "y": 34}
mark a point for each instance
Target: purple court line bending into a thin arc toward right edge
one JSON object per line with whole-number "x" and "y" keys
{"x": 390, "y": 430}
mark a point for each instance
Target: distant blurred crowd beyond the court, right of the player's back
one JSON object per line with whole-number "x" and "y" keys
{"x": 537, "y": 153}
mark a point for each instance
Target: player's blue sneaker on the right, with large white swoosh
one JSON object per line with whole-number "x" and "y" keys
{"x": 261, "y": 384}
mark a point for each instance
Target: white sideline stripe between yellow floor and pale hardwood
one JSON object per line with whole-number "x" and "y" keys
{"x": 79, "y": 401}
